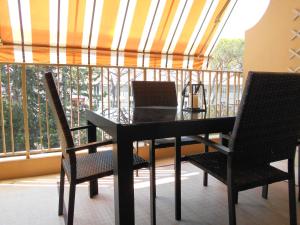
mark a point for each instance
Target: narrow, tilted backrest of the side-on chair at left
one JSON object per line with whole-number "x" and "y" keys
{"x": 62, "y": 125}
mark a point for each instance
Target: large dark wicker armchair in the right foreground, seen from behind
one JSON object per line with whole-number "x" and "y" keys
{"x": 265, "y": 131}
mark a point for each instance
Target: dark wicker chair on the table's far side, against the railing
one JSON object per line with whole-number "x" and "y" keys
{"x": 157, "y": 94}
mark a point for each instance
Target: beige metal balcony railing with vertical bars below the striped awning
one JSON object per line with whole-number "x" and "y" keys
{"x": 26, "y": 123}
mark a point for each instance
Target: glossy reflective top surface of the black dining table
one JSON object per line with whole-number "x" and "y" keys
{"x": 143, "y": 115}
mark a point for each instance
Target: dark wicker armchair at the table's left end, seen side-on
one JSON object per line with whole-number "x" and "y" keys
{"x": 78, "y": 167}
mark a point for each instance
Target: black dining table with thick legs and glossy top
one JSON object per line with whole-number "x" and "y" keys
{"x": 126, "y": 125}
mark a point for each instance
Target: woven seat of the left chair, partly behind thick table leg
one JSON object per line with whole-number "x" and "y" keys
{"x": 97, "y": 165}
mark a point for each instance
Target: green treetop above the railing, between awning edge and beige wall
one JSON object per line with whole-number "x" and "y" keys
{"x": 228, "y": 55}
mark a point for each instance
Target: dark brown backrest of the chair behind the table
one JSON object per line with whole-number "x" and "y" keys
{"x": 154, "y": 93}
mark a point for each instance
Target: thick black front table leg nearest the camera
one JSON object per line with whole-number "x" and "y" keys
{"x": 123, "y": 179}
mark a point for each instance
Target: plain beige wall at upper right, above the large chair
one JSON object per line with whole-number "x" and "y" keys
{"x": 267, "y": 44}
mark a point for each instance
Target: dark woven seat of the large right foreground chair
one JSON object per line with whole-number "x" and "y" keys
{"x": 215, "y": 163}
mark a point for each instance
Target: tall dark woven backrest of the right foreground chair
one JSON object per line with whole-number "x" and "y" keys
{"x": 268, "y": 119}
